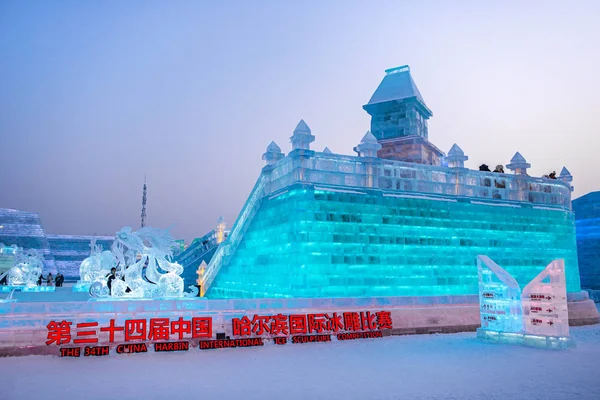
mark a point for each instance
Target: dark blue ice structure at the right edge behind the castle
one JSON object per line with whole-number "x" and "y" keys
{"x": 587, "y": 221}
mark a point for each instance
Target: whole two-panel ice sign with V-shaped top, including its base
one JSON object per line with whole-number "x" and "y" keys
{"x": 537, "y": 316}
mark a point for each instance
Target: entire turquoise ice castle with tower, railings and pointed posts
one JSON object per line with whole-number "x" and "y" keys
{"x": 401, "y": 218}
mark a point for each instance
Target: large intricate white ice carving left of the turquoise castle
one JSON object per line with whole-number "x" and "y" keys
{"x": 144, "y": 268}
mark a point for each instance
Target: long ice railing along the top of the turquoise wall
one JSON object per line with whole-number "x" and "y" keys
{"x": 341, "y": 170}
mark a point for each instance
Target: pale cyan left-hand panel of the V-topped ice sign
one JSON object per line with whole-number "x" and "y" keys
{"x": 500, "y": 298}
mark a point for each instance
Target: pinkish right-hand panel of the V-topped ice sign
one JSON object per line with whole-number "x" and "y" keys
{"x": 545, "y": 302}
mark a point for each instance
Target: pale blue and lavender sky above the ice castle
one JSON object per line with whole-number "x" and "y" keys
{"x": 95, "y": 94}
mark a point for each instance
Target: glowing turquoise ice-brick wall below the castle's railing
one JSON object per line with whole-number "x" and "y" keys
{"x": 309, "y": 242}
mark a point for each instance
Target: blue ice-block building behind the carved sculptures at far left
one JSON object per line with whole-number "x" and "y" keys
{"x": 62, "y": 253}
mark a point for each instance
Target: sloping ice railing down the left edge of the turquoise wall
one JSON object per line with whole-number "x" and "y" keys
{"x": 228, "y": 247}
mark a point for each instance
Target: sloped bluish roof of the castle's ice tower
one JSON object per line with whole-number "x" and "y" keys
{"x": 397, "y": 85}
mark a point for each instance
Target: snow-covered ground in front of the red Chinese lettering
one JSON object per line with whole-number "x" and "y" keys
{"x": 400, "y": 367}
